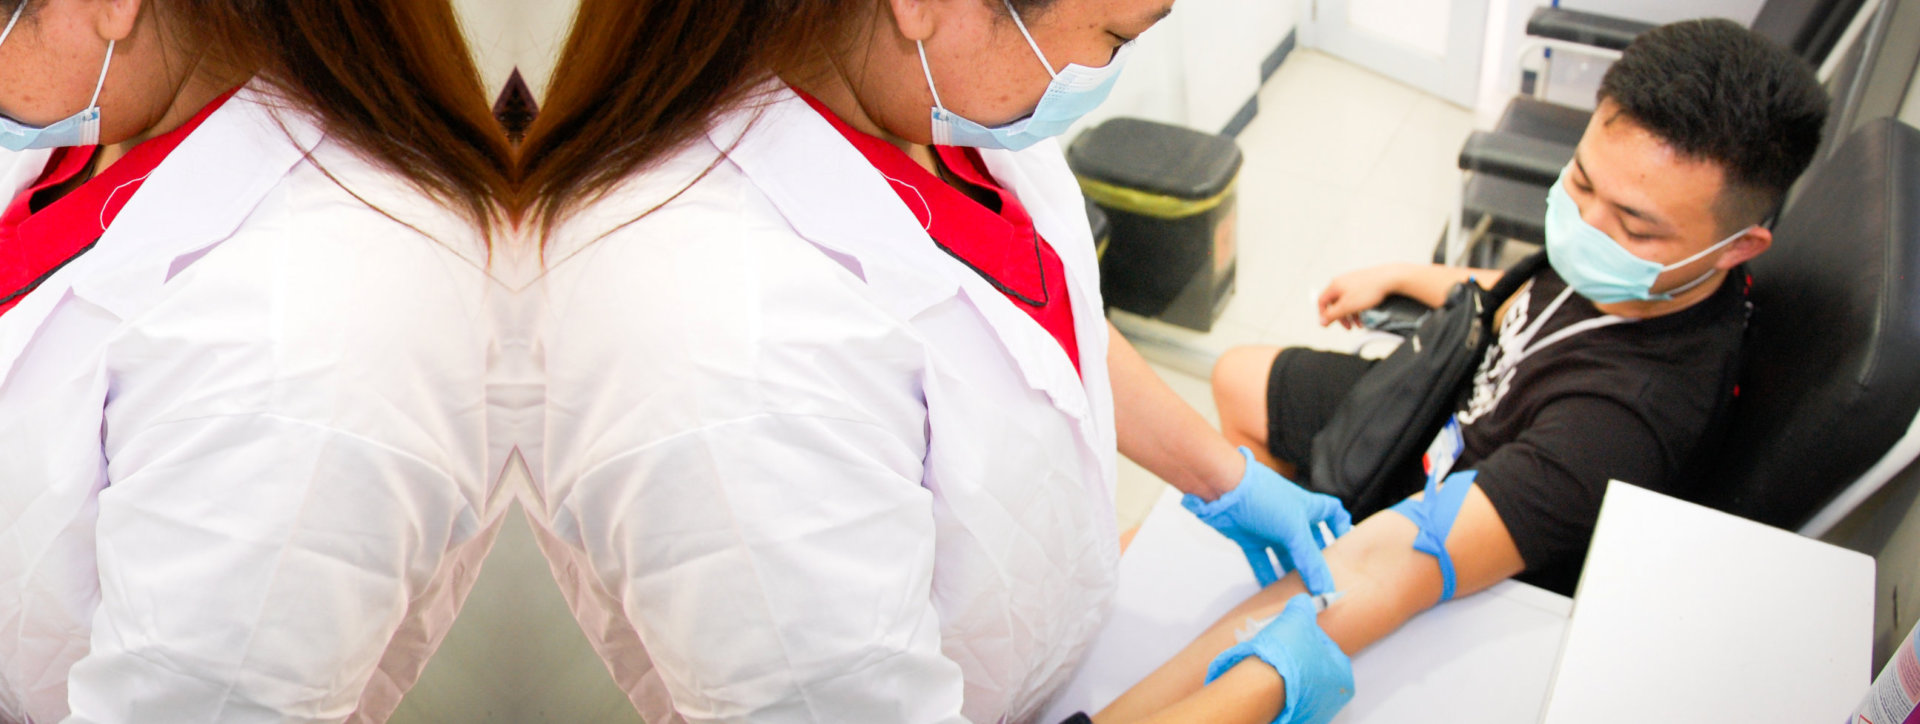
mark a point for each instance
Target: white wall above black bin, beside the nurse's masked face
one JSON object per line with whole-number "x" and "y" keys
{"x": 1201, "y": 64}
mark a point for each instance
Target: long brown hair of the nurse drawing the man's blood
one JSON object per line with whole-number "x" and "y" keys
{"x": 640, "y": 80}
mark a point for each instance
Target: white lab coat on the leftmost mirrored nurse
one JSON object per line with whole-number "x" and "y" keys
{"x": 243, "y": 443}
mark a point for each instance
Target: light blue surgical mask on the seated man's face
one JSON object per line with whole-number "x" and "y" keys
{"x": 1598, "y": 268}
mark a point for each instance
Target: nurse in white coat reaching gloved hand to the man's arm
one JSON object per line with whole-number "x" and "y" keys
{"x": 804, "y": 464}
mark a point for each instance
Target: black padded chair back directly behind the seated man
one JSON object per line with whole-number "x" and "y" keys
{"x": 1829, "y": 398}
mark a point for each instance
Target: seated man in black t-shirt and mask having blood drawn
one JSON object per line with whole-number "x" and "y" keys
{"x": 1612, "y": 362}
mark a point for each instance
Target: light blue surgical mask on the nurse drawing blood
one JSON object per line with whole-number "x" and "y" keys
{"x": 1074, "y": 93}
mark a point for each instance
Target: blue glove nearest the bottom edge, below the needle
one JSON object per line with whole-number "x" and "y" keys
{"x": 1320, "y": 679}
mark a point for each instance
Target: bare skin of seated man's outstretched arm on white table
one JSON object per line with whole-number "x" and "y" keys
{"x": 1383, "y": 581}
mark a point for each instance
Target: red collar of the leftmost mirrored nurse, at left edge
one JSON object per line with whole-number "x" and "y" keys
{"x": 39, "y": 239}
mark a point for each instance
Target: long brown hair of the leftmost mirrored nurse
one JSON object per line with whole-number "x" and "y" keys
{"x": 393, "y": 80}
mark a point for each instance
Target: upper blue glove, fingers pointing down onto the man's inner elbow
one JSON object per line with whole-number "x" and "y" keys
{"x": 1272, "y": 512}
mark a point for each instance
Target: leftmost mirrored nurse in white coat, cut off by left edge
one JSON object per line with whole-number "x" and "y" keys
{"x": 243, "y": 360}
